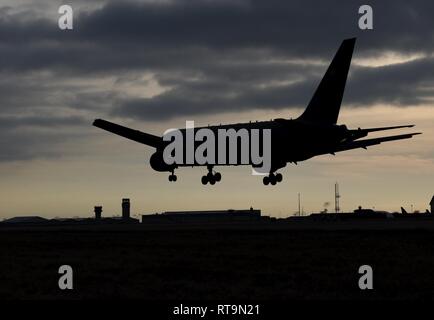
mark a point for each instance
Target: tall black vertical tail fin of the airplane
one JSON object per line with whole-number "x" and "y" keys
{"x": 326, "y": 102}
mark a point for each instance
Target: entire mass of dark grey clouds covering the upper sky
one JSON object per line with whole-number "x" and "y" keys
{"x": 210, "y": 56}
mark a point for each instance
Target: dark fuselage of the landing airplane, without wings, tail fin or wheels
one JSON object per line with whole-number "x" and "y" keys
{"x": 291, "y": 141}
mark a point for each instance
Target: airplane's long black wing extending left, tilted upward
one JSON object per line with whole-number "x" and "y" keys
{"x": 135, "y": 135}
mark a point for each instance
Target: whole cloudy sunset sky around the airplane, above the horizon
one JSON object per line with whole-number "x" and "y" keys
{"x": 152, "y": 65}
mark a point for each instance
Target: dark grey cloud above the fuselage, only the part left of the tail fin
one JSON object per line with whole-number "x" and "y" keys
{"x": 209, "y": 97}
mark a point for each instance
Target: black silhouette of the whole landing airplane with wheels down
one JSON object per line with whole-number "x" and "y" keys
{"x": 313, "y": 133}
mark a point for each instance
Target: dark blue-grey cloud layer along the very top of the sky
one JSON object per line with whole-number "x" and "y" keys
{"x": 159, "y": 34}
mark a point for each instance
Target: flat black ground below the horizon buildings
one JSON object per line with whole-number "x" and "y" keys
{"x": 274, "y": 261}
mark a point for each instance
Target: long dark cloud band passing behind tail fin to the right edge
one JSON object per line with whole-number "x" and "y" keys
{"x": 401, "y": 84}
